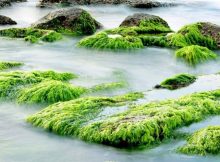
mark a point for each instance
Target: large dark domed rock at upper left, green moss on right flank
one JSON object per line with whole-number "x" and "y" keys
{"x": 72, "y": 21}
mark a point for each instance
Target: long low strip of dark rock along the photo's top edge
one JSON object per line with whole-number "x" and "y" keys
{"x": 132, "y": 3}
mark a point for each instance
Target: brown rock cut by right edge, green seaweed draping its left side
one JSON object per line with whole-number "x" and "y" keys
{"x": 201, "y": 33}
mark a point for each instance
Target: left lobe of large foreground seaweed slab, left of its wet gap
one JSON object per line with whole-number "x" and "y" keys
{"x": 66, "y": 118}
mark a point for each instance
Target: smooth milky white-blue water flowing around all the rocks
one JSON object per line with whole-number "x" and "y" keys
{"x": 142, "y": 69}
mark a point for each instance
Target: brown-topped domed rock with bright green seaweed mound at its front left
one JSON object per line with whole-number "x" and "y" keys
{"x": 130, "y": 33}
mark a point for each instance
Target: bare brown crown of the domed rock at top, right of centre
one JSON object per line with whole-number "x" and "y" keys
{"x": 136, "y": 19}
